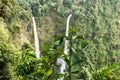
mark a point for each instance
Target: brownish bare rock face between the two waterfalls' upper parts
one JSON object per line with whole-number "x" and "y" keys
{"x": 51, "y": 26}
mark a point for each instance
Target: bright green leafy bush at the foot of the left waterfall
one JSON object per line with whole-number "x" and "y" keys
{"x": 28, "y": 67}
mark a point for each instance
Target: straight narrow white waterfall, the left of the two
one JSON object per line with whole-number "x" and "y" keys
{"x": 36, "y": 40}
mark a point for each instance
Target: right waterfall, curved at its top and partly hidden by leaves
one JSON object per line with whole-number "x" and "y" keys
{"x": 66, "y": 49}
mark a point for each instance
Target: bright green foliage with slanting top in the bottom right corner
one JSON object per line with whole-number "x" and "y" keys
{"x": 109, "y": 73}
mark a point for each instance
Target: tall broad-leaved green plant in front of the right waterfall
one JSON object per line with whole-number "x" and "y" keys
{"x": 74, "y": 60}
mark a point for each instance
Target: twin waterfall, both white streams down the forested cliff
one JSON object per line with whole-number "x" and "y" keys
{"x": 60, "y": 61}
